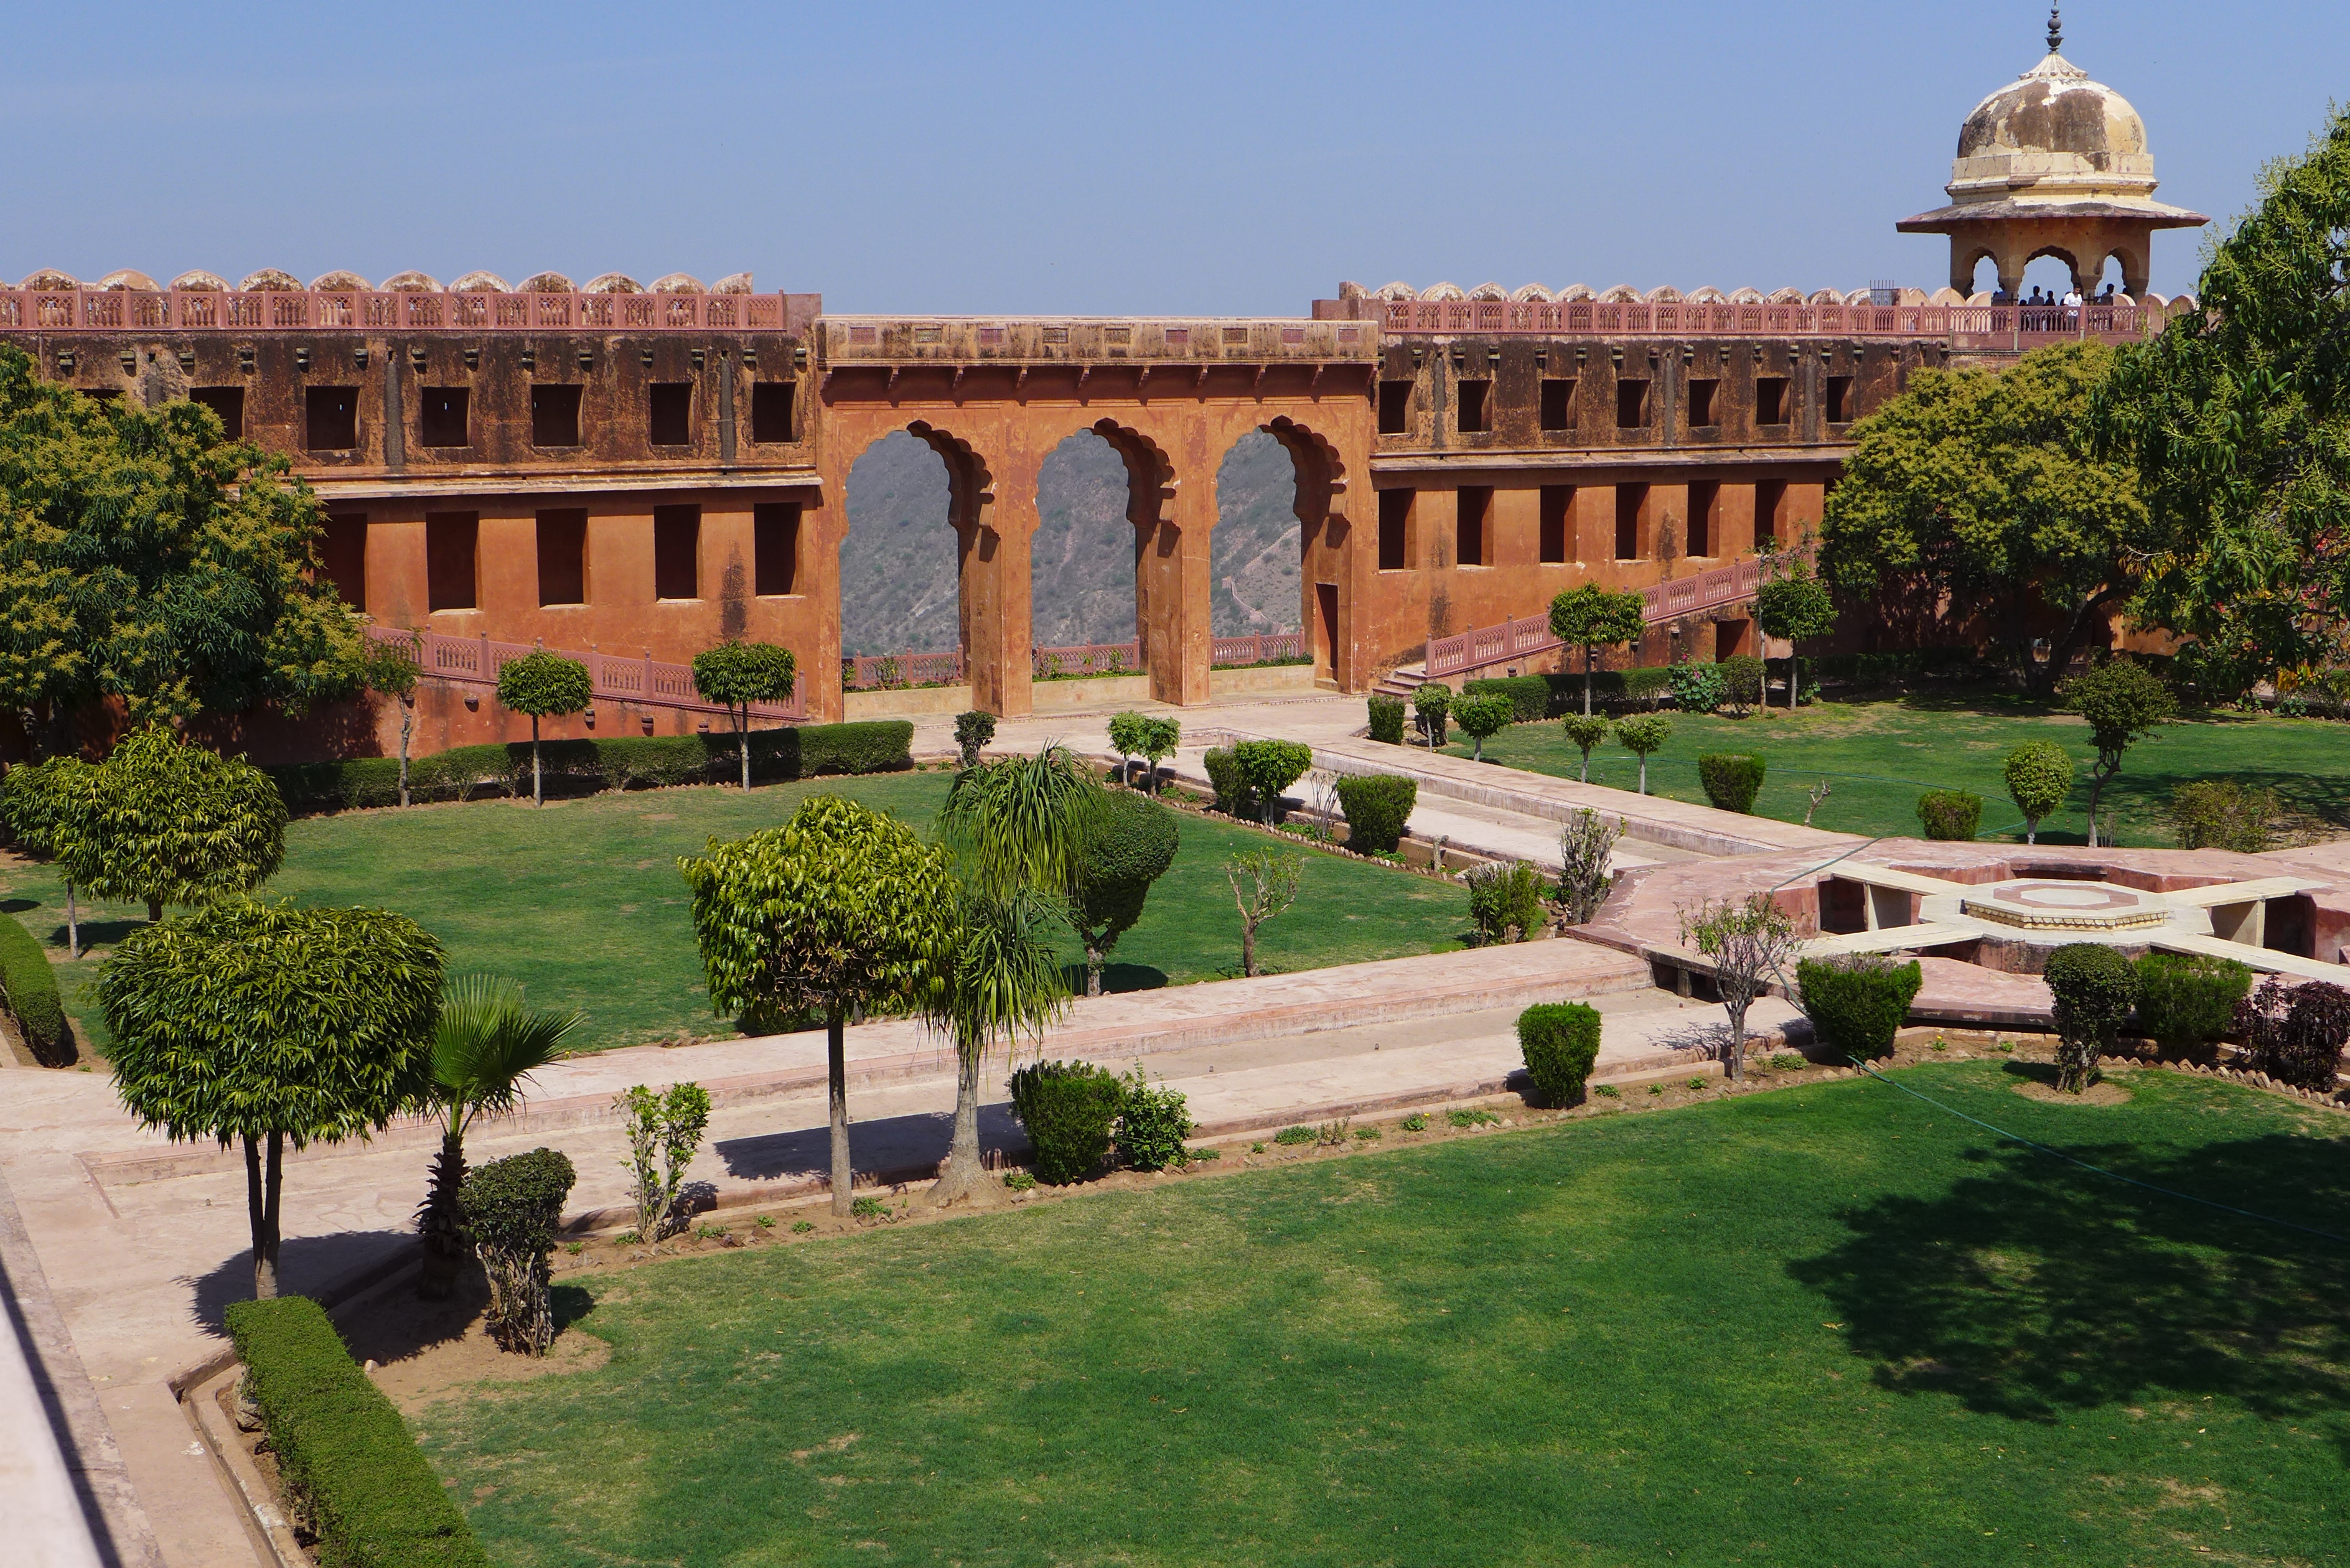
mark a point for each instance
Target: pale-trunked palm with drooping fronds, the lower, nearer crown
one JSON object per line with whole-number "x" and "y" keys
{"x": 1005, "y": 986}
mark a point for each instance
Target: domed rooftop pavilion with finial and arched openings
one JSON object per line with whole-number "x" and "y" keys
{"x": 2053, "y": 166}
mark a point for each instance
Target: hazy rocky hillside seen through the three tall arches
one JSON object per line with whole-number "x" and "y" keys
{"x": 899, "y": 563}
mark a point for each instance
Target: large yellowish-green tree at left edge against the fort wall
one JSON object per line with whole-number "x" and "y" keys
{"x": 149, "y": 561}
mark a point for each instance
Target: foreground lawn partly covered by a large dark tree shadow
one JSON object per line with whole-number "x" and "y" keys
{"x": 1752, "y": 1332}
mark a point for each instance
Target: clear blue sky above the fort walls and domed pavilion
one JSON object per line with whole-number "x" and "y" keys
{"x": 1089, "y": 159}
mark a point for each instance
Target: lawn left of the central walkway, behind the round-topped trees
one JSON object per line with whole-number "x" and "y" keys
{"x": 582, "y": 902}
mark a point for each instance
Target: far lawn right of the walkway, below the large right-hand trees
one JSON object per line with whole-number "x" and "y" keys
{"x": 1881, "y": 756}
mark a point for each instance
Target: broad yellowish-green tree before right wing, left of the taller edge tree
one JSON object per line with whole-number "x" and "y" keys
{"x": 1985, "y": 490}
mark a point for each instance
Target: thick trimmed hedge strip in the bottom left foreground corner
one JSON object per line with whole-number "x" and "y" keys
{"x": 344, "y": 1454}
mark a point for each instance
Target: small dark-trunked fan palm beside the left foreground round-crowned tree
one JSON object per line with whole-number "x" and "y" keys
{"x": 483, "y": 1047}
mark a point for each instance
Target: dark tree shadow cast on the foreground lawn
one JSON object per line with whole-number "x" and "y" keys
{"x": 2036, "y": 1287}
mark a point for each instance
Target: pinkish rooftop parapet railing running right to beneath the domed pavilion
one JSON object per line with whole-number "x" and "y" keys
{"x": 1578, "y": 316}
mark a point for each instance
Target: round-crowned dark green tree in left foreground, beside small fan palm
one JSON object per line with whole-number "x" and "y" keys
{"x": 267, "y": 1026}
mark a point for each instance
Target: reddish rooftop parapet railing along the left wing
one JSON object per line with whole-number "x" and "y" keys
{"x": 398, "y": 311}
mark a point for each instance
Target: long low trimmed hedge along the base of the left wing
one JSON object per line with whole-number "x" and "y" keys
{"x": 626, "y": 763}
